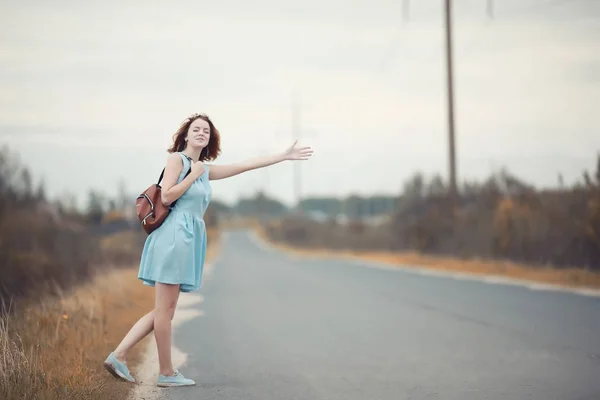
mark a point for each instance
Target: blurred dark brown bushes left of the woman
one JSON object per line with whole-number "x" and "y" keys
{"x": 49, "y": 245}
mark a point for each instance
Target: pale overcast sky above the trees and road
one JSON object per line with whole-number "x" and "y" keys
{"x": 92, "y": 91}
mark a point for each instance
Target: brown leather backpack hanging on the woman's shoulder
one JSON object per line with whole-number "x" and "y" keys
{"x": 149, "y": 206}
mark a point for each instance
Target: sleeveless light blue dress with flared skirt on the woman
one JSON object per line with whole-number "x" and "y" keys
{"x": 175, "y": 251}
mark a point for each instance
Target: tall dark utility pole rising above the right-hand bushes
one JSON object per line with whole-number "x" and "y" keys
{"x": 451, "y": 144}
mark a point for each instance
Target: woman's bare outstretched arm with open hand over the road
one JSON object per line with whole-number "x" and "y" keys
{"x": 225, "y": 171}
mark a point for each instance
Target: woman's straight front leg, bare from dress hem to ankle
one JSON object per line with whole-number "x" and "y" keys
{"x": 164, "y": 308}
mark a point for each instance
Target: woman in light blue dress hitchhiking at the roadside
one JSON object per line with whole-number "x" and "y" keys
{"x": 173, "y": 256}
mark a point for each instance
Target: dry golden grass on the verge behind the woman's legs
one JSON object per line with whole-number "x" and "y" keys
{"x": 54, "y": 349}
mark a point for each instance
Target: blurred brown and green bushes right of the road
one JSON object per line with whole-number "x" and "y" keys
{"x": 502, "y": 217}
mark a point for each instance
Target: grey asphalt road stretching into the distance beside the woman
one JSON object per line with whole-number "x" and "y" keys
{"x": 276, "y": 327}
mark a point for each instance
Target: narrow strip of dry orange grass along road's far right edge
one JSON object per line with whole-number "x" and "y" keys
{"x": 569, "y": 277}
